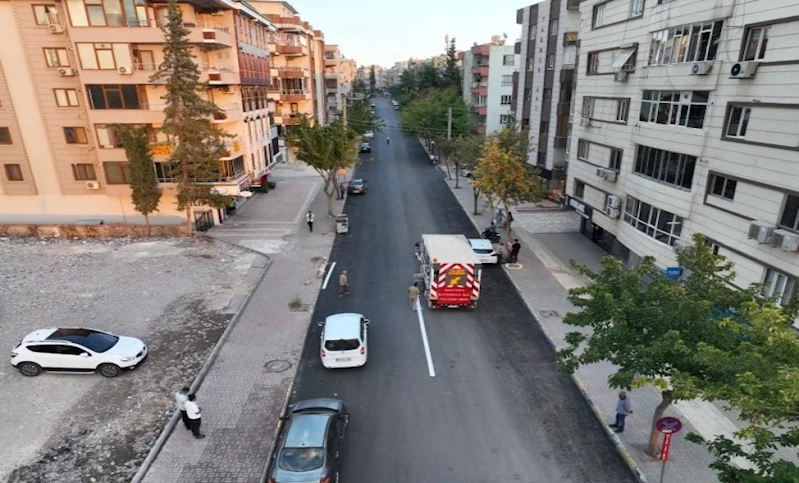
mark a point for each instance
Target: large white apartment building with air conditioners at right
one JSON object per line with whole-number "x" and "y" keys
{"x": 686, "y": 121}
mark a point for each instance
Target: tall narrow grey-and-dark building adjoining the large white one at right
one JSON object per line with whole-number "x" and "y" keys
{"x": 544, "y": 84}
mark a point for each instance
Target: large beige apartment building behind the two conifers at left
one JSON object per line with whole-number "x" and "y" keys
{"x": 72, "y": 69}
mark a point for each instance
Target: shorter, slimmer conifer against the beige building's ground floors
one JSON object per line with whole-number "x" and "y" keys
{"x": 145, "y": 193}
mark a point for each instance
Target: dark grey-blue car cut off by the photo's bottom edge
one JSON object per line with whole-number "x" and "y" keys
{"x": 310, "y": 446}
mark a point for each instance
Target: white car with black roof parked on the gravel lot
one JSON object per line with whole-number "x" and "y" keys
{"x": 77, "y": 350}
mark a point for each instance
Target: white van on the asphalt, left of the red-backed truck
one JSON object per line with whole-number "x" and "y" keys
{"x": 344, "y": 341}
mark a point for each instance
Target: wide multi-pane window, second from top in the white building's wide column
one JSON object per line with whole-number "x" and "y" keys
{"x": 675, "y": 108}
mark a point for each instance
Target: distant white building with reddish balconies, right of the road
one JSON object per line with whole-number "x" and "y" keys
{"x": 488, "y": 83}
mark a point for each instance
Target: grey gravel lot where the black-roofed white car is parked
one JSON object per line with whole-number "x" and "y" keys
{"x": 173, "y": 294}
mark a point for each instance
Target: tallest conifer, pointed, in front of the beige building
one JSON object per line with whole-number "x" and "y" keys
{"x": 197, "y": 144}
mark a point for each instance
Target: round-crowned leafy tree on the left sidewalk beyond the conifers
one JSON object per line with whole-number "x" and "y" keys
{"x": 327, "y": 149}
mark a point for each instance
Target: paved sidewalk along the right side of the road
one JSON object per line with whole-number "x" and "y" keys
{"x": 543, "y": 281}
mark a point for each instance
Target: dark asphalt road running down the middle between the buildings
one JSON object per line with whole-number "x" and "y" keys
{"x": 497, "y": 409}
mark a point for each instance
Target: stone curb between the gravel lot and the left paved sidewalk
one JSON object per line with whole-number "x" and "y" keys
{"x": 170, "y": 426}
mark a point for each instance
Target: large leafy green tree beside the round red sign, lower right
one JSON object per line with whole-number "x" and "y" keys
{"x": 701, "y": 338}
